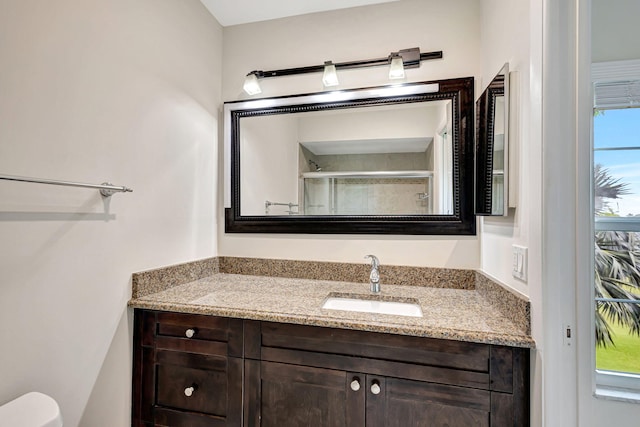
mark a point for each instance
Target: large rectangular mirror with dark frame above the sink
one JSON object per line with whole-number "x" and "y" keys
{"x": 389, "y": 160}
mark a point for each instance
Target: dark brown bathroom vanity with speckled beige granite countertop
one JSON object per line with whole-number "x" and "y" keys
{"x": 249, "y": 350}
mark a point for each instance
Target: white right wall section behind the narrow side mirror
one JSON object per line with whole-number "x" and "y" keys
{"x": 505, "y": 38}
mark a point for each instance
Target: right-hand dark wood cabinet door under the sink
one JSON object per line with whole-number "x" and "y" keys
{"x": 393, "y": 402}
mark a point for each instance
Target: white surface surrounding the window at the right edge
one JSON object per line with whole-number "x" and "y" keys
{"x": 613, "y": 37}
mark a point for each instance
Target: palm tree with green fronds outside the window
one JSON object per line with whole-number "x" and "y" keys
{"x": 617, "y": 265}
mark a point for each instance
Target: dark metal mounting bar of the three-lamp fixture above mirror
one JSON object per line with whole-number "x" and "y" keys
{"x": 411, "y": 58}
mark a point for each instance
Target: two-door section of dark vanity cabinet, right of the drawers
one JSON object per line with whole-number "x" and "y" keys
{"x": 311, "y": 376}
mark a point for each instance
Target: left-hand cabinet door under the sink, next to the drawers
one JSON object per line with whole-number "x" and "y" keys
{"x": 291, "y": 395}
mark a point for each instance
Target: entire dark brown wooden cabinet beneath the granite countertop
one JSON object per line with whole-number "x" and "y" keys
{"x": 263, "y": 374}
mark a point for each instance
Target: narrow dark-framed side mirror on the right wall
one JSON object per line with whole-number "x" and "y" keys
{"x": 492, "y": 147}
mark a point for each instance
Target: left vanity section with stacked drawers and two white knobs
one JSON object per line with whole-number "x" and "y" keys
{"x": 187, "y": 370}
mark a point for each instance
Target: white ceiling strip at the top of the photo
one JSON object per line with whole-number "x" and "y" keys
{"x": 236, "y": 12}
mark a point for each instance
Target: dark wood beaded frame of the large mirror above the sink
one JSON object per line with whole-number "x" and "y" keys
{"x": 459, "y": 91}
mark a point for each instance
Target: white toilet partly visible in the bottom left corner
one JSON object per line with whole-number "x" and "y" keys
{"x": 31, "y": 410}
